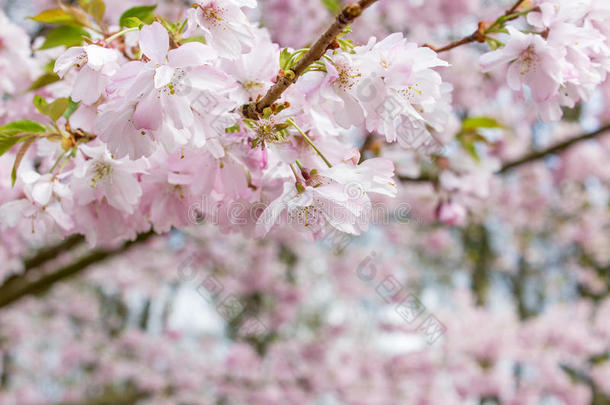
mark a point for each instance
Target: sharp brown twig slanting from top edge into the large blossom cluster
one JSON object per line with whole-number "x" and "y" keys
{"x": 346, "y": 16}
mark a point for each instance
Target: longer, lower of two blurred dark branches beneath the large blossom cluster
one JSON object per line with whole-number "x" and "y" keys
{"x": 35, "y": 282}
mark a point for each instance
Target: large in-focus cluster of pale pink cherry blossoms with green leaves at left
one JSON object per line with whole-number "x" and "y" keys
{"x": 146, "y": 131}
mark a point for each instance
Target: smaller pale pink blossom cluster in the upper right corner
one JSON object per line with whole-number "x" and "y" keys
{"x": 562, "y": 59}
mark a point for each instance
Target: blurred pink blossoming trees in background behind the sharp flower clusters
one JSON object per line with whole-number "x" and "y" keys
{"x": 493, "y": 292}
